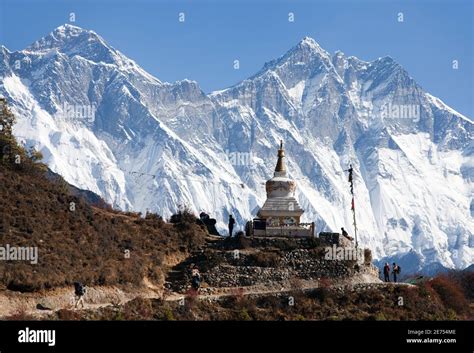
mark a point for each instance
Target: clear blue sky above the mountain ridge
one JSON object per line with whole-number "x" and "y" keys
{"x": 215, "y": 33}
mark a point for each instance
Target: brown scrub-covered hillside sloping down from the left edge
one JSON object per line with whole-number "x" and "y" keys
{"x": 77, "y": 241}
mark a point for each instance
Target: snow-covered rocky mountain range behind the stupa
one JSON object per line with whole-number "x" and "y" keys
{"x": 108, "y": 126}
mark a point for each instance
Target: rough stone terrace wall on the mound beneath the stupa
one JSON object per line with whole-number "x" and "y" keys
{"x": 266, "y": 261}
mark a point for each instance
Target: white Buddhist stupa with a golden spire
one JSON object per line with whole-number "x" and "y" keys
{"x": 281, "y": 206}
